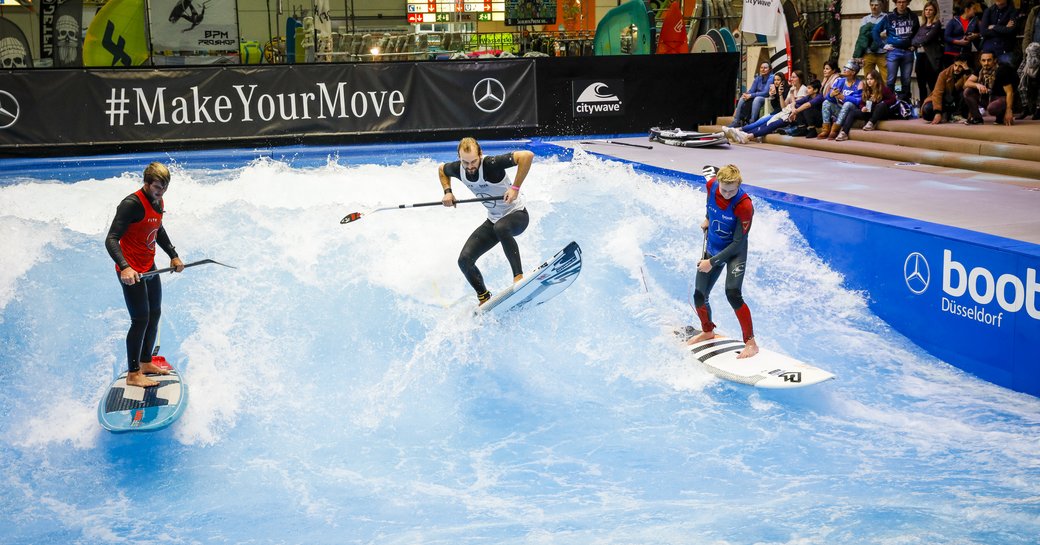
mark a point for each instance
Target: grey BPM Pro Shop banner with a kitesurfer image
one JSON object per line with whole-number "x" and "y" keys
{"x": 194, "y": 25}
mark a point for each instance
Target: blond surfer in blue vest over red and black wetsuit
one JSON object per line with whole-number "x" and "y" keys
{"x": 726, "y": 227}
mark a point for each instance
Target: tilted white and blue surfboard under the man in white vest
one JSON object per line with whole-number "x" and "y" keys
{"x": 548, "y": 281}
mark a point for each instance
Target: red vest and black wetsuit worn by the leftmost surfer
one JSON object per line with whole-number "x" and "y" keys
{"x": 136, "y": 231}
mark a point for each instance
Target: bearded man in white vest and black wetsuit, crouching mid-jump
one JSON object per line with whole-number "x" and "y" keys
{"x": 507, "y": 219}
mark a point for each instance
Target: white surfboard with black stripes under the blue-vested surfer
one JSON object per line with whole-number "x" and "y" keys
{"x": 766, "y": 370}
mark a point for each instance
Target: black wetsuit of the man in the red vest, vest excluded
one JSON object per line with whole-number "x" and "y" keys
{"x": 144, "y": 300}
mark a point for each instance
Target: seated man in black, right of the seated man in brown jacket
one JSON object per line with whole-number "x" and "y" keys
{"x": 994, "y": 86}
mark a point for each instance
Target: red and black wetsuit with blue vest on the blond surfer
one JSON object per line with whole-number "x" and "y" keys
{"x": 730, "y": 222}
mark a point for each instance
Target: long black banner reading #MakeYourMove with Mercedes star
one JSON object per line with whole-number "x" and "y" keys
{"x": 113, "y": 107}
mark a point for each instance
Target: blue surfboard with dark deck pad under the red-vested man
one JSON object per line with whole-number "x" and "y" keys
{"x": 135, "y": 409}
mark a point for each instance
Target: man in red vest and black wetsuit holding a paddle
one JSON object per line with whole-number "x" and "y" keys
{"x": 136, "y": 231}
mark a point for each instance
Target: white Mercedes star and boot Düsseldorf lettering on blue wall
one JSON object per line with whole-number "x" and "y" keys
{"x": 963, "y": 281}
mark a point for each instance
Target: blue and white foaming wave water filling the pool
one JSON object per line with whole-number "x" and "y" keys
{"x": 342, "y": 393}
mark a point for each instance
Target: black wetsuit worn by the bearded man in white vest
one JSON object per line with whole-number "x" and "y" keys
{"x": 489, "y": 235}
